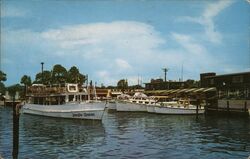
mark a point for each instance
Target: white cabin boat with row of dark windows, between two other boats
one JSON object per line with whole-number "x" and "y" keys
{"x": 137, "y": 103}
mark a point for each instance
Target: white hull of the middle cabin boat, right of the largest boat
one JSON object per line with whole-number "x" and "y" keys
{"x": 128, "y": 106}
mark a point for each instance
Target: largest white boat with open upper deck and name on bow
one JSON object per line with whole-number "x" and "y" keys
{"x": 64, "y": 102}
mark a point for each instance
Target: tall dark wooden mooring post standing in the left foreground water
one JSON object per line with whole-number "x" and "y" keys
{"x": 15, "y": 129}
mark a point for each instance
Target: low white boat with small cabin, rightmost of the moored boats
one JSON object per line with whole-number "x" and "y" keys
{"x": 178, "y": 107}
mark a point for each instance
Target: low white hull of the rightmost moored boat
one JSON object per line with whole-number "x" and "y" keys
{"x": 174, "y": 110}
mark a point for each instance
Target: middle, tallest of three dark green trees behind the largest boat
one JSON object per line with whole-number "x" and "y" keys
{"x": 59, "y": 74}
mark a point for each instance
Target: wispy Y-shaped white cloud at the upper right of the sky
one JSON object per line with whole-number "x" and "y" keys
{"x": 207, "y": 19}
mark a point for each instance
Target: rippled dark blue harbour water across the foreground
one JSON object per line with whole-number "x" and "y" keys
{"x": 127, "y": 135}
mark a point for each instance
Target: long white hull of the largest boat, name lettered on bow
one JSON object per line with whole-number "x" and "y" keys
{"x": 92, "y": 111}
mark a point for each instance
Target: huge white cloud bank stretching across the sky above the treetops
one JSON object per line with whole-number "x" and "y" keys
{"x": 109, "y": 52}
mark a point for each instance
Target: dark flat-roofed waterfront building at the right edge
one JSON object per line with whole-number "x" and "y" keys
{"x": 233, "y": 90}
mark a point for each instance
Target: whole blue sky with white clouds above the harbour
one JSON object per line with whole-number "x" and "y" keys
{"x": 125, "y": 39}
